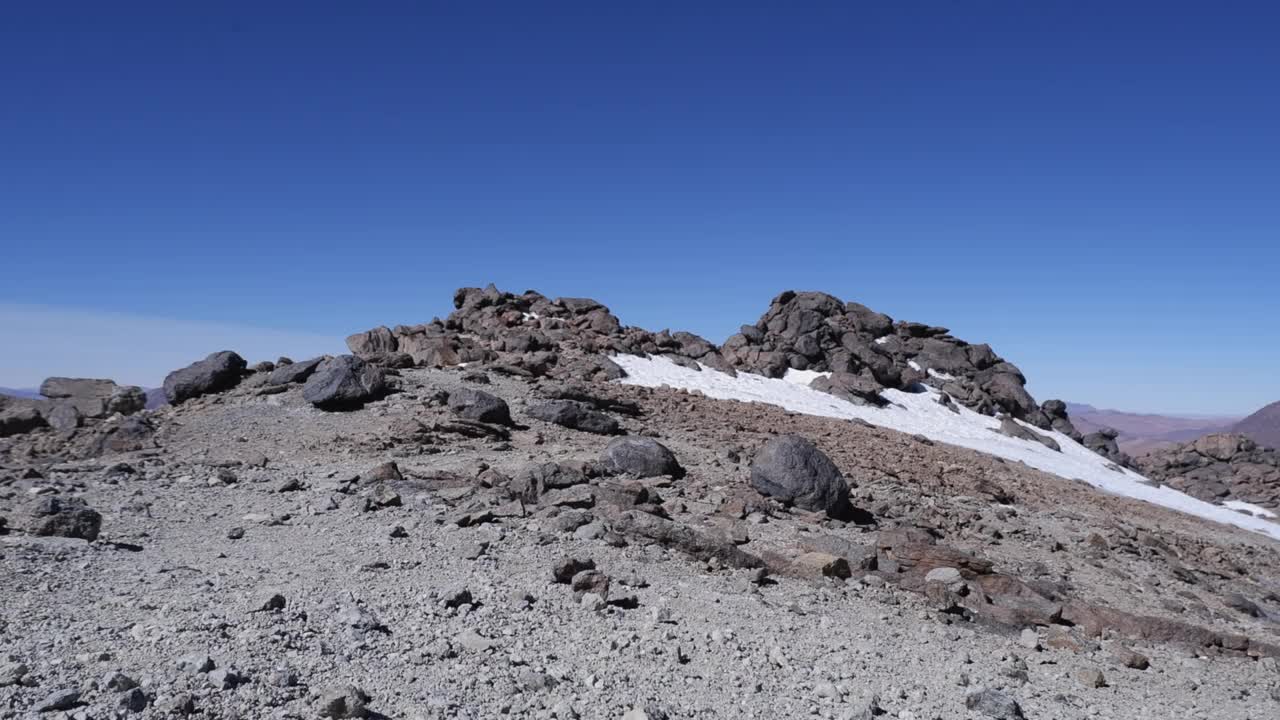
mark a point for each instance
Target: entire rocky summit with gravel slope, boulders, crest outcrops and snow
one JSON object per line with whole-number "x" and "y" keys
{"x": 834, "y": 514}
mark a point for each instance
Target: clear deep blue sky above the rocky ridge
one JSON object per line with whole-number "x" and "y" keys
{"x": 1092, "y": 188}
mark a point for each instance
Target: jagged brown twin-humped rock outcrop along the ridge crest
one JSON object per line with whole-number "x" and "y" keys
{"x": 863, "y": 352}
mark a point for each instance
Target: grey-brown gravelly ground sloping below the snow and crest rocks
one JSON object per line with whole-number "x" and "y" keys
{"x": 254, "y": 530}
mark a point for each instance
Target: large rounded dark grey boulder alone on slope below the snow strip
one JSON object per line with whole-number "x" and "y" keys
{"x": 794, "y": 471}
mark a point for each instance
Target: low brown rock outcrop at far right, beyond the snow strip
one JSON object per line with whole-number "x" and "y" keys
{"x": 1219, "y": 468}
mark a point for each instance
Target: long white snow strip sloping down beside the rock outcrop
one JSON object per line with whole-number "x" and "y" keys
{"x": 922, "y": 414}
